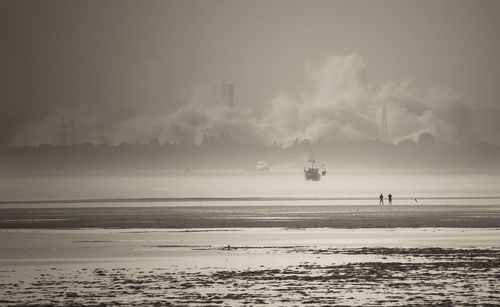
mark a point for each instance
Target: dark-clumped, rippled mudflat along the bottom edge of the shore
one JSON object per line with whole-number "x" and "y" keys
{"x": 429, "y": 281}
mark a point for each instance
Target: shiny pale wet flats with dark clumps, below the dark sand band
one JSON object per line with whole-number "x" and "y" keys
{"x": 401, "y": 266}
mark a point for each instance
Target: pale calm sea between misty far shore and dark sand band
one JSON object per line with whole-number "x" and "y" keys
{"x": 356, "y": 184}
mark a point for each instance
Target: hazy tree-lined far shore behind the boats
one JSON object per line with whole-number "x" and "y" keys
{"x": 222, "y": 152}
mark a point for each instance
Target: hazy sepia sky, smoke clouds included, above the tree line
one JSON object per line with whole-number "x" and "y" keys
{"x": 136, "y": 69}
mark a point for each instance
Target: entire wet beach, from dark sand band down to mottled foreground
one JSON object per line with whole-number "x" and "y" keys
{"x": 240, "y": 254}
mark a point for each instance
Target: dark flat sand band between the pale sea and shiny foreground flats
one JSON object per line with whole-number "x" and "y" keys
{"x": 299, "y": 216}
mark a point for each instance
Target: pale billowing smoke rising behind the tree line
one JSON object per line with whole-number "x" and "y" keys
{"x": 337, "y": 101}
